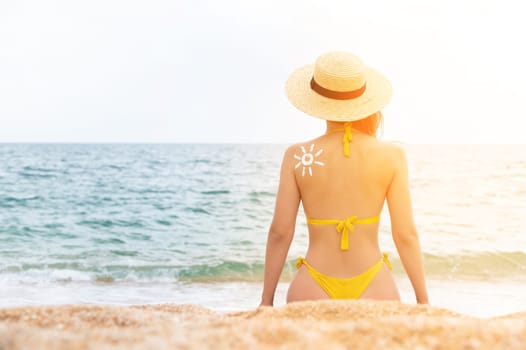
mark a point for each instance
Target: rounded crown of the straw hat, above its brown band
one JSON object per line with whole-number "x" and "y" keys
{"x": 339, "y": 71}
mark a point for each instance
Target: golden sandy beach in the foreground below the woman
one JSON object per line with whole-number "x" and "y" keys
{"x": 306, "y": 325}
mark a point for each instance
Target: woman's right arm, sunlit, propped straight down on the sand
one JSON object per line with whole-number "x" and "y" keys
{"x": 403, "y": 228}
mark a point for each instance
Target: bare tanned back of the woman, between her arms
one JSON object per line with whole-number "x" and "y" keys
{"x": 338, "y": 187}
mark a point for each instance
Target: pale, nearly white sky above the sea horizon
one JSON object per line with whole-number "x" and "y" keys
{"x": 214, "y": 71}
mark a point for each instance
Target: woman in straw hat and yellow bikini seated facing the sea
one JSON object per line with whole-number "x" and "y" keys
{"x": 342, "y": 179}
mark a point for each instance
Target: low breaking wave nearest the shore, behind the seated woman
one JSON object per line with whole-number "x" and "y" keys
{"x": 485, "y": 266}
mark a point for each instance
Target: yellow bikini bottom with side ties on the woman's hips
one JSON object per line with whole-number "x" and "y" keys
{"x": 345, "y": 288}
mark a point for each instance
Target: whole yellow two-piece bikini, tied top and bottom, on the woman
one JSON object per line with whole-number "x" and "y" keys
{"x": 352, "y": 287}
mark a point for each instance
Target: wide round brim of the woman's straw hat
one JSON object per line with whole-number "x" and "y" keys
{"x": 377, "y": 95}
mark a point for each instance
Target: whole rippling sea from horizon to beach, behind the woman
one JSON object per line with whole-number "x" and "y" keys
{"x": 123, "y": 224}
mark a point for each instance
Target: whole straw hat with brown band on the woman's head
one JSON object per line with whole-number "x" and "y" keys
{"x": 338, "y": 87}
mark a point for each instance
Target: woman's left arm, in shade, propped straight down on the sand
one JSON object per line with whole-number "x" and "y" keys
{"x": 281, "y": 230}
